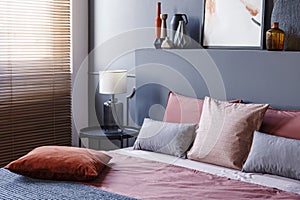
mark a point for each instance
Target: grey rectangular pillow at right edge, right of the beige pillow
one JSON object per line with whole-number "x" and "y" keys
{"x": 274, "y": 155}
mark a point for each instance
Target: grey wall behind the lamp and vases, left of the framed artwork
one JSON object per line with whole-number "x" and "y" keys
{"x": 117, "y": 29}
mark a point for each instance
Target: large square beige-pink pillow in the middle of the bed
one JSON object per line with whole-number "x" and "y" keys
{"x": 225, "y": 132}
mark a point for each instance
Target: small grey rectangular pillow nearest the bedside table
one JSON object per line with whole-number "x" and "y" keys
{"x": 164, "y": 137}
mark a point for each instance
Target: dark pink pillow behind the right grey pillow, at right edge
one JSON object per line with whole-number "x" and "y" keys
{"x": 284, "y": 123}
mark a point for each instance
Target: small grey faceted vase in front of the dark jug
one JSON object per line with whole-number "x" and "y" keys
{"x": 182, "y": 38}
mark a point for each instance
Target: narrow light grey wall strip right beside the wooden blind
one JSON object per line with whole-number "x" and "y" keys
{"x": 79, "y": 67}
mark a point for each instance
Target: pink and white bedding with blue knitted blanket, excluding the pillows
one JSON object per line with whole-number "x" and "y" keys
{"x": 137, "y": 174}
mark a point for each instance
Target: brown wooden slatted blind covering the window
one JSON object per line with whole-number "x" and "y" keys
{"x": 35, "y": 81}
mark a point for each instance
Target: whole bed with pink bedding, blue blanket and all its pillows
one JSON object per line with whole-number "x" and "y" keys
{"x": 162, "y": 164}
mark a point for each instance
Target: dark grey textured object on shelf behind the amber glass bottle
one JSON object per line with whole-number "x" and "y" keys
{"x": 287, "y": 13}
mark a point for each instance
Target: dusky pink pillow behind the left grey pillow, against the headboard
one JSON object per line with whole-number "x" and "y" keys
{"x": 182, "y": 109}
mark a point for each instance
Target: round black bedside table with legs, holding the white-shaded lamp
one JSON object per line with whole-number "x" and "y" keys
{"x": 97, "y": 133}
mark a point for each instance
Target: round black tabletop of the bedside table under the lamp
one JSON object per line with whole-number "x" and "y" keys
{"x": 98, "y": 132}
